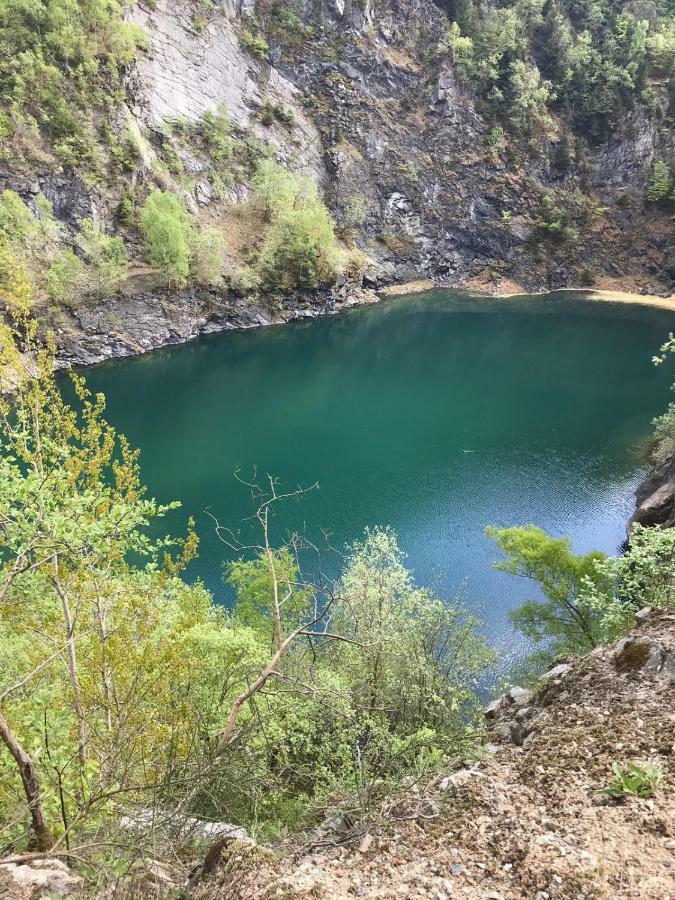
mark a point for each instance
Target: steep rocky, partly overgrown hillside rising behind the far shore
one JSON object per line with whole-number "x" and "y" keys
{"x": 380, "y": 105}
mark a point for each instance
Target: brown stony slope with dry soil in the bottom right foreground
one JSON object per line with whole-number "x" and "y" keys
{"x": 527, "y": 820}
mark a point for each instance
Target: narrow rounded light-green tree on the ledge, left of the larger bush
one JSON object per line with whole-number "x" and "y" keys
{"x": 167, "y": 228}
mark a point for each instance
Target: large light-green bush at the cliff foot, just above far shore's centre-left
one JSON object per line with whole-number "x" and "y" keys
{"x": 299, "y": 248}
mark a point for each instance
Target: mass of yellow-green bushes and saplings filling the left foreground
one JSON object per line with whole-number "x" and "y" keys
{"x": 123, "y": 684}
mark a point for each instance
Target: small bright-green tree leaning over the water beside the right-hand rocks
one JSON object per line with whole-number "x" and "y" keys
{"x": 559, "y": 619}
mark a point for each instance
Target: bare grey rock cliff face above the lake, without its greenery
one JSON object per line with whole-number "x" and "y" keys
{"x": 358, "y": 98}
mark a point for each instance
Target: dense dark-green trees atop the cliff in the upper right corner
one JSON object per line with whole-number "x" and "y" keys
{"x": 588, "y": 61}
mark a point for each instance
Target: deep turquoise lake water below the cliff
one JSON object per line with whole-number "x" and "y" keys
{"x": 435, "y": 414}
